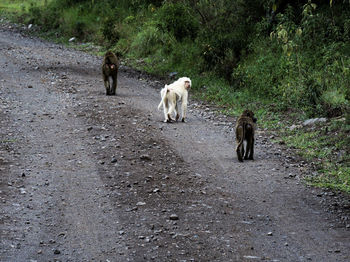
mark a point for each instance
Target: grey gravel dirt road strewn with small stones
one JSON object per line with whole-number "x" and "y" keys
{"x": 86, "y": 177}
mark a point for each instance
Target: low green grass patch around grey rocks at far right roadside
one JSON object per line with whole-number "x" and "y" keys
{"x": 327, "y": 146}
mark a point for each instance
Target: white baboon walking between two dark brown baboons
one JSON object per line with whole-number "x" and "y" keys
{"x": 171, "y": 95}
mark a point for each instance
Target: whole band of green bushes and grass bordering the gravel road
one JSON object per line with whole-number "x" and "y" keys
{"x": 286, "y": 60}
